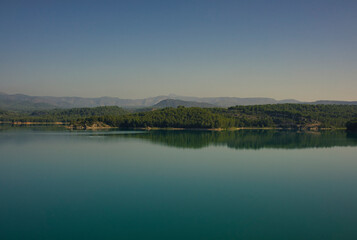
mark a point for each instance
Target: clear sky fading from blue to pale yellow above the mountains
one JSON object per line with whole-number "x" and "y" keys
{"x": 306, "y": 50}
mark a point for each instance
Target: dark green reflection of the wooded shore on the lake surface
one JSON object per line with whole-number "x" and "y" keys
{"x": 249, "y": 139}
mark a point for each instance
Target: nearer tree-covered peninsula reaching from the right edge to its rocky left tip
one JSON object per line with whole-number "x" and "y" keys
{"x": 295, "y": 116}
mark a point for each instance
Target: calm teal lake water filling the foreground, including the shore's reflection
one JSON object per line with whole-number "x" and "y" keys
{"x": 57, "y": 184}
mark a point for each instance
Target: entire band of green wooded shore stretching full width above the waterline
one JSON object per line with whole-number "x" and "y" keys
{"x": 296, "y": 116}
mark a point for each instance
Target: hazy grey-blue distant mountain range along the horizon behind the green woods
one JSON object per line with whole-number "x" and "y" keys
{"x": 20, "y": 102}
